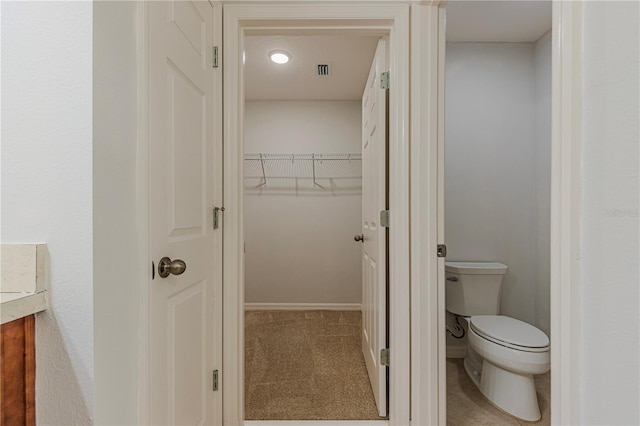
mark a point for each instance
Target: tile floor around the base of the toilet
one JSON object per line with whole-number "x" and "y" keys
{"x": 467, "y": 406}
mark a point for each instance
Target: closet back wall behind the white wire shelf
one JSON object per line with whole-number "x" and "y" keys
{"x": 299, "y": 239}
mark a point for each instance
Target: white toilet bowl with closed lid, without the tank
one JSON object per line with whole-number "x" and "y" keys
{"x": 511, "y": 352}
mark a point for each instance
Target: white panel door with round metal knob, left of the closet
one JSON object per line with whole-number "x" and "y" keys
{"x": 184, "y": 185}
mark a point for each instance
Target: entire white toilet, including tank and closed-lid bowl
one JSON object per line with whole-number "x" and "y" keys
{"x": 503, "y": 353}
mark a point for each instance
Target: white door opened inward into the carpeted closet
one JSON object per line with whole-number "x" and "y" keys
{"x": 374, "y": 247}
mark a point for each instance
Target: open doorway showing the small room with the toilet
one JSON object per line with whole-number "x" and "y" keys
{"x": 497, "y": 212}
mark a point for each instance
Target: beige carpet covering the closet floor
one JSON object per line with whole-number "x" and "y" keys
{"x": 306, "y": 365}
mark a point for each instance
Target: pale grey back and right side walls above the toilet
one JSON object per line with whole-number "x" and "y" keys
{"x": 496, "y": 156}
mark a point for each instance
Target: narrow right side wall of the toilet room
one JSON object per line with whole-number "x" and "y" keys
{"x": 542, "y": 70}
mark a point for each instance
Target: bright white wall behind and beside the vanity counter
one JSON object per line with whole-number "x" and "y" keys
{"x": 47, "y": 187}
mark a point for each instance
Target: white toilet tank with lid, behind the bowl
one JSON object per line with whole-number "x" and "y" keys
{"x": 473, "y": 288}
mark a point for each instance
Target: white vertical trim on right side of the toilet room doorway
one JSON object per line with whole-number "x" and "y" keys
{"x": 565, "y": 210}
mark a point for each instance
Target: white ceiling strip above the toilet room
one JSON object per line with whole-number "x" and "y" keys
{"x": 514, "y": 21}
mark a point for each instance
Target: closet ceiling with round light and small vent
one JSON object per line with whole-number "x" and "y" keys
{"x": 350, "y": 57}
